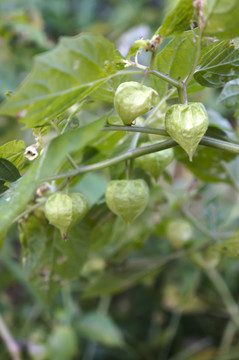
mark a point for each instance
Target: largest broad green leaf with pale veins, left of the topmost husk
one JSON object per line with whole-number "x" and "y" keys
{"x": 61, "y": 77}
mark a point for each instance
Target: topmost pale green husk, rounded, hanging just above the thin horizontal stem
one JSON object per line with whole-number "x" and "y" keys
{"x": 133, "y": 99}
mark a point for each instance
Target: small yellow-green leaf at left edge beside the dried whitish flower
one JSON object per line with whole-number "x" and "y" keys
{"x": 13, "y": 151}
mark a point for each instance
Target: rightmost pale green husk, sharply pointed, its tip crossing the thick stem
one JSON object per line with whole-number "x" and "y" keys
{"x": 187, "y": 124}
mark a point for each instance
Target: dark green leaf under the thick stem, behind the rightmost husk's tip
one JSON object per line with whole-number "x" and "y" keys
{"x": 207, "y": 164}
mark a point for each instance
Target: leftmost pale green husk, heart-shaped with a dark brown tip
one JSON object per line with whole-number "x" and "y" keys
{"x": 63, "y": 211}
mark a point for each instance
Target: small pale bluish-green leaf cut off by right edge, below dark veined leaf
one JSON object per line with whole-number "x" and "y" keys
{"x": 229, "y": 96}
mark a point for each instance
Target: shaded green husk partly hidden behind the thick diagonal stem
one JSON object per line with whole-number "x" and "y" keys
{"x": 155, "y": 163}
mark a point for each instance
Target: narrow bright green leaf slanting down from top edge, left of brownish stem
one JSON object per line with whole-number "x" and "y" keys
{"x": 178, "y": 20}
